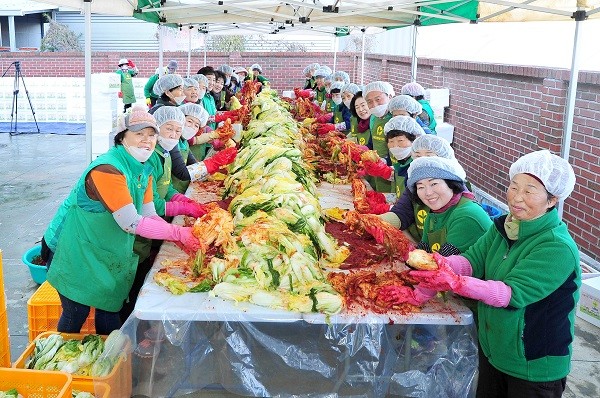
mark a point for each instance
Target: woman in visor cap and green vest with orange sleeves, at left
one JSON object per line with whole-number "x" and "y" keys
{"x": 92, "y": 263}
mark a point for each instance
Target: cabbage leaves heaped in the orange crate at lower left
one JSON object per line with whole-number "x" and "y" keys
{"x": 90, "y": 356}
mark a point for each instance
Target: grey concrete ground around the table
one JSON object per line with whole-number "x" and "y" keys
{"x": 37, "y": 172}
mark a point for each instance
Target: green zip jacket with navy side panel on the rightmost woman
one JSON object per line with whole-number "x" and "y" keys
{"x": 532, "y": 338}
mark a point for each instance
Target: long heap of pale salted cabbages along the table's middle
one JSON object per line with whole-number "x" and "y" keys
{"x": 281, "y": 244}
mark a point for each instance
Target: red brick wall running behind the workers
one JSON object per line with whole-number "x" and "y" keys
{"x": 499, "y": 111}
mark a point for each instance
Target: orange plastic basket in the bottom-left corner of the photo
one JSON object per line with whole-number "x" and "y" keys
{"x": 36, "y": 383}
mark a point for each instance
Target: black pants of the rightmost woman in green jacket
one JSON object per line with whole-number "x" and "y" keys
{"x": 496, "y": 384}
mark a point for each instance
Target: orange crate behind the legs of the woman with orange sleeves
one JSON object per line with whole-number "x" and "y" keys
{"x": 44, "y": 310}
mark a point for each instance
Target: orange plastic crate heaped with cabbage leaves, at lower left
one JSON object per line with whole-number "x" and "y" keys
{"x": 119, "y": 379}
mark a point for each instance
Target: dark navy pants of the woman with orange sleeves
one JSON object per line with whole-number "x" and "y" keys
{"x": 75, "y": 314}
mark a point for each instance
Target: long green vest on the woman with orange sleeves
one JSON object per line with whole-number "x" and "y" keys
{"x": 94, "y": 263}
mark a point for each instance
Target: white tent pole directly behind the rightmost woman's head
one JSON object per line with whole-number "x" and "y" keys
{"x": 571, "y": 96}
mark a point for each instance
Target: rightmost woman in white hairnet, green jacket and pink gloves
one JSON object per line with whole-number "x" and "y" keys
{"x": 525, "y": 273}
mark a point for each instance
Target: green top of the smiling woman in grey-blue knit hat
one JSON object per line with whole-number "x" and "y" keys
{"x": 460, "y": 225}
